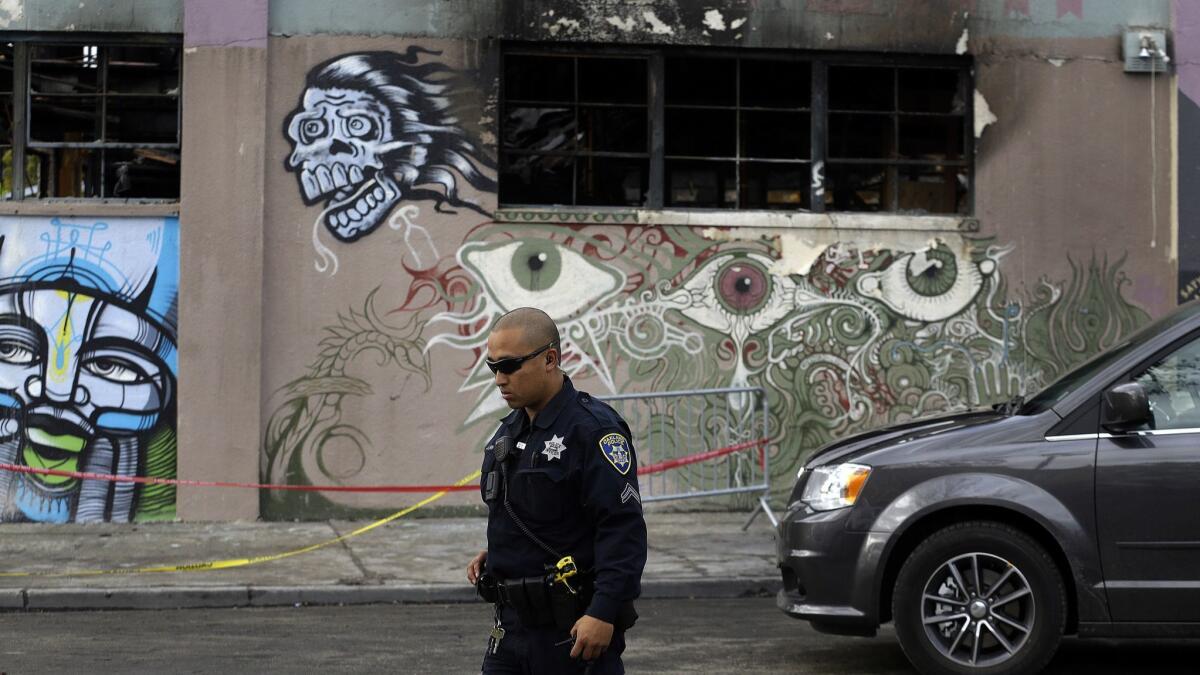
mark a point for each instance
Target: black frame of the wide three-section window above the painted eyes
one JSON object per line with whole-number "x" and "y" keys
{"x": 819, "y": 116}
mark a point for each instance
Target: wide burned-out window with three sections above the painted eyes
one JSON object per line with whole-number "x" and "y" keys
{"x": 719, "y": 130}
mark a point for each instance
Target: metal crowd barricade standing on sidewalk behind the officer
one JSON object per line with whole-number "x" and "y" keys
{"x": 700, "y": 444}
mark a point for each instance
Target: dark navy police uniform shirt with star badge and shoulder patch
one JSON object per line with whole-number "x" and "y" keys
{"x": 574, "y": 483}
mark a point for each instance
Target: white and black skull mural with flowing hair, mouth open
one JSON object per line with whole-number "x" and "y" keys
{"x": 376, "y": 129}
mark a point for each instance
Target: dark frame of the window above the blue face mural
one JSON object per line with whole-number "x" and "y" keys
{"x": 25, "y": 43}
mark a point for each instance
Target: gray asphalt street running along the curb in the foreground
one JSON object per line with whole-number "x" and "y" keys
{"x": 703, "y": 636}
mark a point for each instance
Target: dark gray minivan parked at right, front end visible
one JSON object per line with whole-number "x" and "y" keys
{"x": 986, "y": 536}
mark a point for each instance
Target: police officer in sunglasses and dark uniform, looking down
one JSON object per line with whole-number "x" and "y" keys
{"x": 566, "y": 534}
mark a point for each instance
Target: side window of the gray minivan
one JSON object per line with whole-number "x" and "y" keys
{"x": 1173, "y": 386}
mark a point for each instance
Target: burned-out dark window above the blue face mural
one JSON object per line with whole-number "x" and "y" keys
{"x": 91, "y": 121}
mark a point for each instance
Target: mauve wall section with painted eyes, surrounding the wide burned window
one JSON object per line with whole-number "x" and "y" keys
{"x": 375, "y": 375}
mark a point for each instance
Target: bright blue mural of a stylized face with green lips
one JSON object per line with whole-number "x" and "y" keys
{"x": 88, "y": 366}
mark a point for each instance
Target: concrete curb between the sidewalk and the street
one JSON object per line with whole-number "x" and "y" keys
{"x": 215, "y": 598}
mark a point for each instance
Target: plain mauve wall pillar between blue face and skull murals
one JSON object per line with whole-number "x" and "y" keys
{"x": 221, "y": 345}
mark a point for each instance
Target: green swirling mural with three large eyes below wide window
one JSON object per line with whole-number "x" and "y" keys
{"x": 867, "y": 336}
